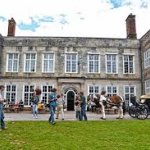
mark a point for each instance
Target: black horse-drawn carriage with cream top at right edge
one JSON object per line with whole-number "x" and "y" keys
{"x": 140, "y": 109}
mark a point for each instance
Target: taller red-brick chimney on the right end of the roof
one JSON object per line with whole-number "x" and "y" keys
{"x": 131, "y": 27}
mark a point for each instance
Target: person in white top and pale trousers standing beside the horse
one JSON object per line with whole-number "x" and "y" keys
{"x": 102, "y": 103}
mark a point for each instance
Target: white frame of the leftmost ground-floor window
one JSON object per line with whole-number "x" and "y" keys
{"x": 13, "y": 94}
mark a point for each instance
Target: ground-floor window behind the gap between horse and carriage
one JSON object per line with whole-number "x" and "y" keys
{"x": 129, "y": 91}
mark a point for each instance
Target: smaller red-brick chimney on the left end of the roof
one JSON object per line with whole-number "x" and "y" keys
{"x": 11, "y": 27}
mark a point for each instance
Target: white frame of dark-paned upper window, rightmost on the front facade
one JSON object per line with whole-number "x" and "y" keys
{"x": 128, "y": 64}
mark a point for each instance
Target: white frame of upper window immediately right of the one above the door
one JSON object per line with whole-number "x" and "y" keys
{"x": 93, "y": 63}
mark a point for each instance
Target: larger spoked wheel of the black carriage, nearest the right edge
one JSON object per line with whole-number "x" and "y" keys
{"x": 142, "y": 112}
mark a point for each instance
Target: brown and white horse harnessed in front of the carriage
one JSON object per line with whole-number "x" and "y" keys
{"x": 112, "y": 101}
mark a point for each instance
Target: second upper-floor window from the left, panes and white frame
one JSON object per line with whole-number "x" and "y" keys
{"x": 30, "y": 62}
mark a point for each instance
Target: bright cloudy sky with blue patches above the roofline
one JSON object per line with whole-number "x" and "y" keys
{"x": 74, "y": 18}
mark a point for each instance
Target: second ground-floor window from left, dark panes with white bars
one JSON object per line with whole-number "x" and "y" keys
{"x": 28, "y": 94}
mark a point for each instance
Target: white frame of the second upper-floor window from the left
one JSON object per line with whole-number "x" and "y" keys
{"x": 30, "y": 69}
